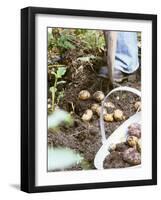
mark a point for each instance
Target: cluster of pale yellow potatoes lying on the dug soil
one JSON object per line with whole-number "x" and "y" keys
{"x": 115, "y": 115}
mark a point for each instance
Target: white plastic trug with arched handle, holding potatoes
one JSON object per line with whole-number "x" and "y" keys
{"x": 119, "y": 135}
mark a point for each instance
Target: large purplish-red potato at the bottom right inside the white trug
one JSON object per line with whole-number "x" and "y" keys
{"x": 131, "y": 156}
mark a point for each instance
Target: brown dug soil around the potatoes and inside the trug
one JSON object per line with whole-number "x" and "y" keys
{"x": 84, "y": 137}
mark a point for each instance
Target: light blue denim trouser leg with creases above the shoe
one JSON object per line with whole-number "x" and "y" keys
{"x": 126, "y": 52}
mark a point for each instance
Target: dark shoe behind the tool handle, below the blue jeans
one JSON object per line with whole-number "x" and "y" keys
{"x": 118, "y": 75}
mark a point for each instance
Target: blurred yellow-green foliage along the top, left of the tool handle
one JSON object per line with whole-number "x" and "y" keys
{"x": 63, "y": 40}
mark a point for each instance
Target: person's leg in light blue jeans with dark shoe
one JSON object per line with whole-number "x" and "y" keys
{"x": 126, "y": 56}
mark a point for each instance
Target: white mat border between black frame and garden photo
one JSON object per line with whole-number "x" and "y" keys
{"x": 44, "y": 178}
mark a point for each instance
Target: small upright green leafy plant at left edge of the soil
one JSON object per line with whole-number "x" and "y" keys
{"x": 58, "y": 75}
